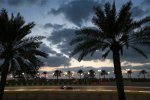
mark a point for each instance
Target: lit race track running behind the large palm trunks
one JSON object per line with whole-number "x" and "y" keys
{"x": 78, "y": 88}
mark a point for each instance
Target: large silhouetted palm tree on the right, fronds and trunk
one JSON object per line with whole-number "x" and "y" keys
{"x": 114, "y": 32}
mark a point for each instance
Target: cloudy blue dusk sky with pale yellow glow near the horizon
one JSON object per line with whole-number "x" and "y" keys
{"x": 58, "y": 19}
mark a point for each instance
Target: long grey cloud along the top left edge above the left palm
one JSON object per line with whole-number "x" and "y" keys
{"x": 25, "y": 2}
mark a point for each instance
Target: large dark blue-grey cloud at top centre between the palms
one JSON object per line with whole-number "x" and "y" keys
{"x": 76, "y": 11}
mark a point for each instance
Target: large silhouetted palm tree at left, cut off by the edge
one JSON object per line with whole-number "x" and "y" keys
{"x": 18, "y": 51}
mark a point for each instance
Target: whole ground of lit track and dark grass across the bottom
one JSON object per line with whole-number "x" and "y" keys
{"x": 77, "y": 93}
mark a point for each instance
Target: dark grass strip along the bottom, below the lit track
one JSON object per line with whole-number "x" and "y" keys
{"x": 72, "y": 95}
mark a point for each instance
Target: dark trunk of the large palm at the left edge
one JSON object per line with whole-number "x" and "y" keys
{"x": 3, "y": 78}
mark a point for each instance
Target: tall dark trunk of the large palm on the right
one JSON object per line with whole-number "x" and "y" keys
{"x": 118, "y": 75}
